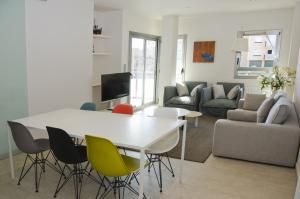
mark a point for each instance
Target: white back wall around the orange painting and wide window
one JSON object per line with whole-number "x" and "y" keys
{"x": 223, "y": 29}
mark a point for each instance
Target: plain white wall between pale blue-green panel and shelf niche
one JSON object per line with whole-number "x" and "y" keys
{"x": 59, "y": 53}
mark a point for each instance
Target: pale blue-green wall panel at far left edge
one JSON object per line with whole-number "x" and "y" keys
{"x": 13, "y": 88}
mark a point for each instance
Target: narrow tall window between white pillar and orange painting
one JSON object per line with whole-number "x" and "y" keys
{"x": 180, "y": 61}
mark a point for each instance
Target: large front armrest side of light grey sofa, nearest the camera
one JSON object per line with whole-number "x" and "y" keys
{"x": 259, "y": 142}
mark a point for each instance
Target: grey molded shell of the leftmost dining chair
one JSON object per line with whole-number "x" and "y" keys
{"x": 23, "y": 138}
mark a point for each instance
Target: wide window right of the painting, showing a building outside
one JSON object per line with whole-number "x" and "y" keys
{"x": 262, "y": 55}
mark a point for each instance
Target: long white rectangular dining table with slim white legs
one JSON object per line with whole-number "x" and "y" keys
{"x": 136, "y": 132}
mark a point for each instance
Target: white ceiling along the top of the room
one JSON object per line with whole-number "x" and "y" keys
{"x": 159, "y": 8}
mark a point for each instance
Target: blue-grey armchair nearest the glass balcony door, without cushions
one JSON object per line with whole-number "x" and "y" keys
{"x": 171, "y": 98}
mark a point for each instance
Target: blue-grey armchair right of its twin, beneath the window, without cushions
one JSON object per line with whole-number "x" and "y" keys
{"x": 219, "y": 107}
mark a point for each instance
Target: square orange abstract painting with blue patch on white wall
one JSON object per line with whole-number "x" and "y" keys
{"x": 204, "y": 51}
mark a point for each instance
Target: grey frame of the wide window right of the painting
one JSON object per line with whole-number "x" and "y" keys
{"x": 240, "y": 34}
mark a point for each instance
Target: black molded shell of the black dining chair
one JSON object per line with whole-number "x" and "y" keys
{"x": 62, "y": 146}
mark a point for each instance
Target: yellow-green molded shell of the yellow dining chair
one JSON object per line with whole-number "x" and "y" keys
{"x": 105, "y": 157}
